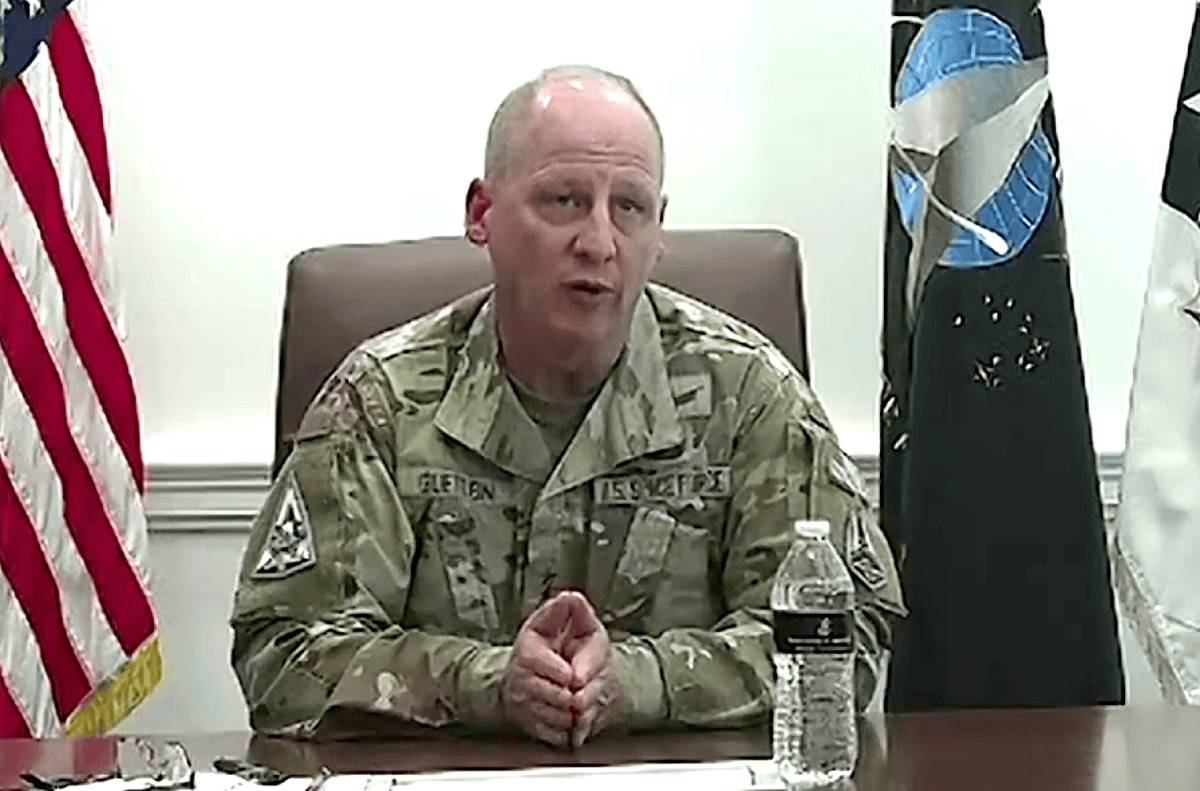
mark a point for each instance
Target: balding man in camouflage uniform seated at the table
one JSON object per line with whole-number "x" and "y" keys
{"x": 559, "y": 504}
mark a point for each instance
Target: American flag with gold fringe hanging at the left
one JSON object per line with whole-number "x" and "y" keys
{"x": 79, "y": 637}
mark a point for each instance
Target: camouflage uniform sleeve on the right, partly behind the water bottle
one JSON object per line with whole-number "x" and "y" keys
{"x": 787, "y": 466}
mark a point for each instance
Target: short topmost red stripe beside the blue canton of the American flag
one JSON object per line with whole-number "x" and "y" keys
{"x": 81, "y": 99}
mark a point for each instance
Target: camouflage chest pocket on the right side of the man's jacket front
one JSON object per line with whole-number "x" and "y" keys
{"x": 663, "y": 577}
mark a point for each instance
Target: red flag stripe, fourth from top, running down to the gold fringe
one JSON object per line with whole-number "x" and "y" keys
{"x": 34, "y": 585}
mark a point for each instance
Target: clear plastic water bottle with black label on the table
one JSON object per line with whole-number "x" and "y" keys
{"x": 813, "y": 602}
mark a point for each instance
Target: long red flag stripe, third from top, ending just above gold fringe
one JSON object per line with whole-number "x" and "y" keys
{"x": 121, "y": 595}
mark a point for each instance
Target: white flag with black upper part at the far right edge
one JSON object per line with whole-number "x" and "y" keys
{"x": 1157, "y": 559}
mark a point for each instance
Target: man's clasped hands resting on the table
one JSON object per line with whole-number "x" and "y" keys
{"x": 561, "y": 685}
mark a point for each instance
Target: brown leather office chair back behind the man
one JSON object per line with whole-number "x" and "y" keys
{"x": 339, "y": 297}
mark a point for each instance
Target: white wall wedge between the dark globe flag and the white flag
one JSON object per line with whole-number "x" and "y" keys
{"x": 1115, "y": 73}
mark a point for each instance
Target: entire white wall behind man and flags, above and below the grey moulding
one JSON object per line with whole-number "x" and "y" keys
{"x": 242, "y": 136}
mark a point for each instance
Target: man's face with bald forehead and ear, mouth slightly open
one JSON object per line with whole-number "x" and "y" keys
{"x": 573, "y": 226}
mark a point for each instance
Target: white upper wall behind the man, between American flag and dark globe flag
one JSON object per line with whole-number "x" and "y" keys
{"x": 284, "y": 127}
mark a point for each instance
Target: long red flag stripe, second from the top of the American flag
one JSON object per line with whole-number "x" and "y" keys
{"x": 21, "y": 140}
